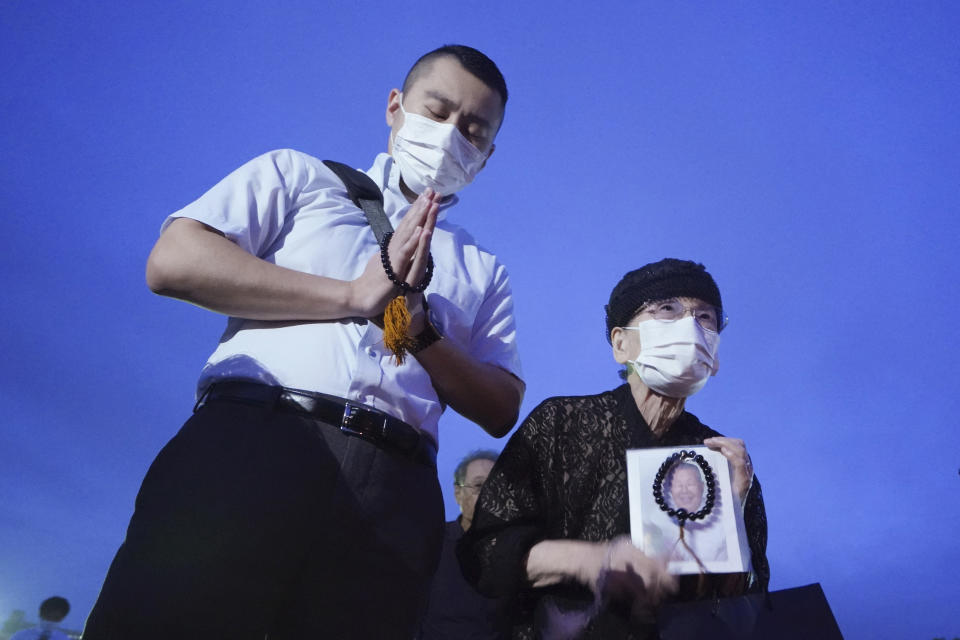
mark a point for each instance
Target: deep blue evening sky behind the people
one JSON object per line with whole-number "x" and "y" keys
{"x": 806, "y": 152}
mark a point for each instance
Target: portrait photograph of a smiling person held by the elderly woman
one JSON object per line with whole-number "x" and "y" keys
{"x": 691, "y": 485}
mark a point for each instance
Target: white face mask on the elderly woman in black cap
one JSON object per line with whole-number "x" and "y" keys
{"x": 676, "y": 358}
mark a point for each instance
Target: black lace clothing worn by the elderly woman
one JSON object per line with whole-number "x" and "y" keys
{"x": 563, "y": 475}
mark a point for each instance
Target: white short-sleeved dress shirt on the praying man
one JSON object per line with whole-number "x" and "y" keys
{"x": 288, "y": 208}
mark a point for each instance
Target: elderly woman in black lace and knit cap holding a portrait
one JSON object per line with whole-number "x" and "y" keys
{"x": 548, "y": 528}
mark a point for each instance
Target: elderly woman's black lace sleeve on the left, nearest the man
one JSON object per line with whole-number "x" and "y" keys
{"x": 510, "y": 516}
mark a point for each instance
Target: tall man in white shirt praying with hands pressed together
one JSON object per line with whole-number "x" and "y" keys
{"x": 301, "y": 499}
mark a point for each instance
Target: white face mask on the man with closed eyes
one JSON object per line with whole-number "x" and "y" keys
{"x": 434, "y": 154}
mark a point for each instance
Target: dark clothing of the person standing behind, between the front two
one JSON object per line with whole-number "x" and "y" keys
{"x": 456, "y": 611}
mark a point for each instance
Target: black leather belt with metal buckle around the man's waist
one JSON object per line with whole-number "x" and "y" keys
{"x": 379, "y": 428}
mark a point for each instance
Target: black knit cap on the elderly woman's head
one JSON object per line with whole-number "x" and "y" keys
{"x": 669, "y": 278}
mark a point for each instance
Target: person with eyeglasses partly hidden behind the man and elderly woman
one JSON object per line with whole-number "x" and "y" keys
{"x": 455, "y": 608}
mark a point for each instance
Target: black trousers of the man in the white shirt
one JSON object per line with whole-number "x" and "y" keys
{"x": 253, "y": 523}
